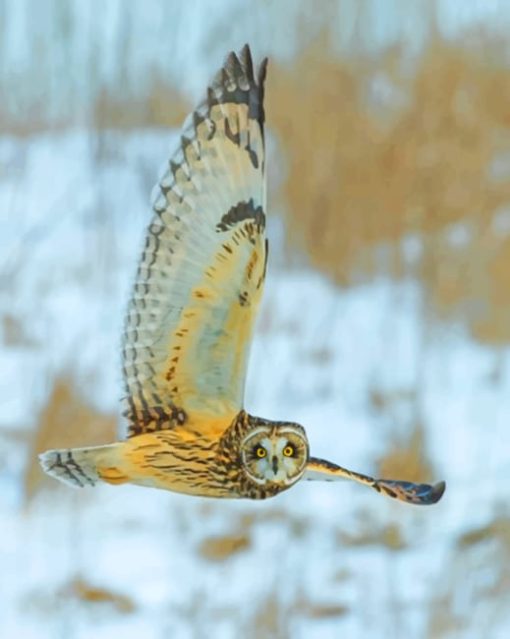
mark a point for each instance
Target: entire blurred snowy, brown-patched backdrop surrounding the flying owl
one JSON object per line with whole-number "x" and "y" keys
{"x": 384, "y": 329}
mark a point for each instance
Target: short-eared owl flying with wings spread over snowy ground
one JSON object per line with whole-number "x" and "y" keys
{"x": 190, "y": 323}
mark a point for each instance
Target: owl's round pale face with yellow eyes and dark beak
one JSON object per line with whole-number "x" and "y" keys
{"x": 275, "y": 453}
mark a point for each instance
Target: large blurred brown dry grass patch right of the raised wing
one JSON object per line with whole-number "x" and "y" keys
{"x": 376, "y": 153}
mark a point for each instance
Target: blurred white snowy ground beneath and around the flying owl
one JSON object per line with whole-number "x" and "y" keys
{"x": 320, "y": 561}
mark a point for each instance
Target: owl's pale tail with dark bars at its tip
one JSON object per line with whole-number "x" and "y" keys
{"x": 79, "y": 467}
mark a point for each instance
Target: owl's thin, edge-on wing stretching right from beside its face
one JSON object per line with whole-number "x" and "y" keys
{"x": 420, "y": 494}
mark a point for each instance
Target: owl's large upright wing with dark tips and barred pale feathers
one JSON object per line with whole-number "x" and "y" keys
{"x": 190, "y": 320}
